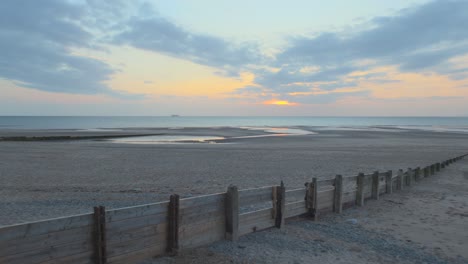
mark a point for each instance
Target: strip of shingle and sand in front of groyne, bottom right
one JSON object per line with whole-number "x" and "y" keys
{"x": 424, "y": 223}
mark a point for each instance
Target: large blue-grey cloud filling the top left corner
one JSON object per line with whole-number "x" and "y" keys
{"x": 36, "y": 38}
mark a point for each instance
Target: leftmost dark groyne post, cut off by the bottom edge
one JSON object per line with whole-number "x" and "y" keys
{"x": 100, "y": 234}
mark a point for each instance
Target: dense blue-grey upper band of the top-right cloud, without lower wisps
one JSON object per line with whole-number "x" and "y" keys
{"x": 393, "y": 39}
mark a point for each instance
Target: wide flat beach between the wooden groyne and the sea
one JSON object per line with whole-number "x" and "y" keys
{"x": 43, "y": 179}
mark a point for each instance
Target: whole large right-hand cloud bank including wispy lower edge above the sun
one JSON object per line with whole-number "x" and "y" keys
{"x": 421, "y": 38}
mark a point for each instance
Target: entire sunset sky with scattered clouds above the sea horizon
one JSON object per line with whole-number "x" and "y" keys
{"x": 234, "y": 58}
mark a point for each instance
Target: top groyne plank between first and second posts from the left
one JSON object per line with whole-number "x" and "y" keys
{"x": 136, "y": 211}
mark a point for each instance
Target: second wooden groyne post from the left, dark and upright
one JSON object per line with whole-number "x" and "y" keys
{"x": 173, "y": 225}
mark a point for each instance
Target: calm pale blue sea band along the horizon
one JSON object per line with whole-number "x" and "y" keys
{"x": 88, "y": 122}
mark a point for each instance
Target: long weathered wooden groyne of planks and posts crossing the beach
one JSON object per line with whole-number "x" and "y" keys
{"x": 132, "y": 234}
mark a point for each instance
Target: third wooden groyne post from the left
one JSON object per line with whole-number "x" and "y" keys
{"x": 232, "y": 213}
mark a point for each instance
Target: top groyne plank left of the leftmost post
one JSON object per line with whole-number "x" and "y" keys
{"x": 44, "y": 227}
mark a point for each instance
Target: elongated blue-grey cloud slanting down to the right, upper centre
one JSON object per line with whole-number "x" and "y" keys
{"x": 157, "y": 34}
